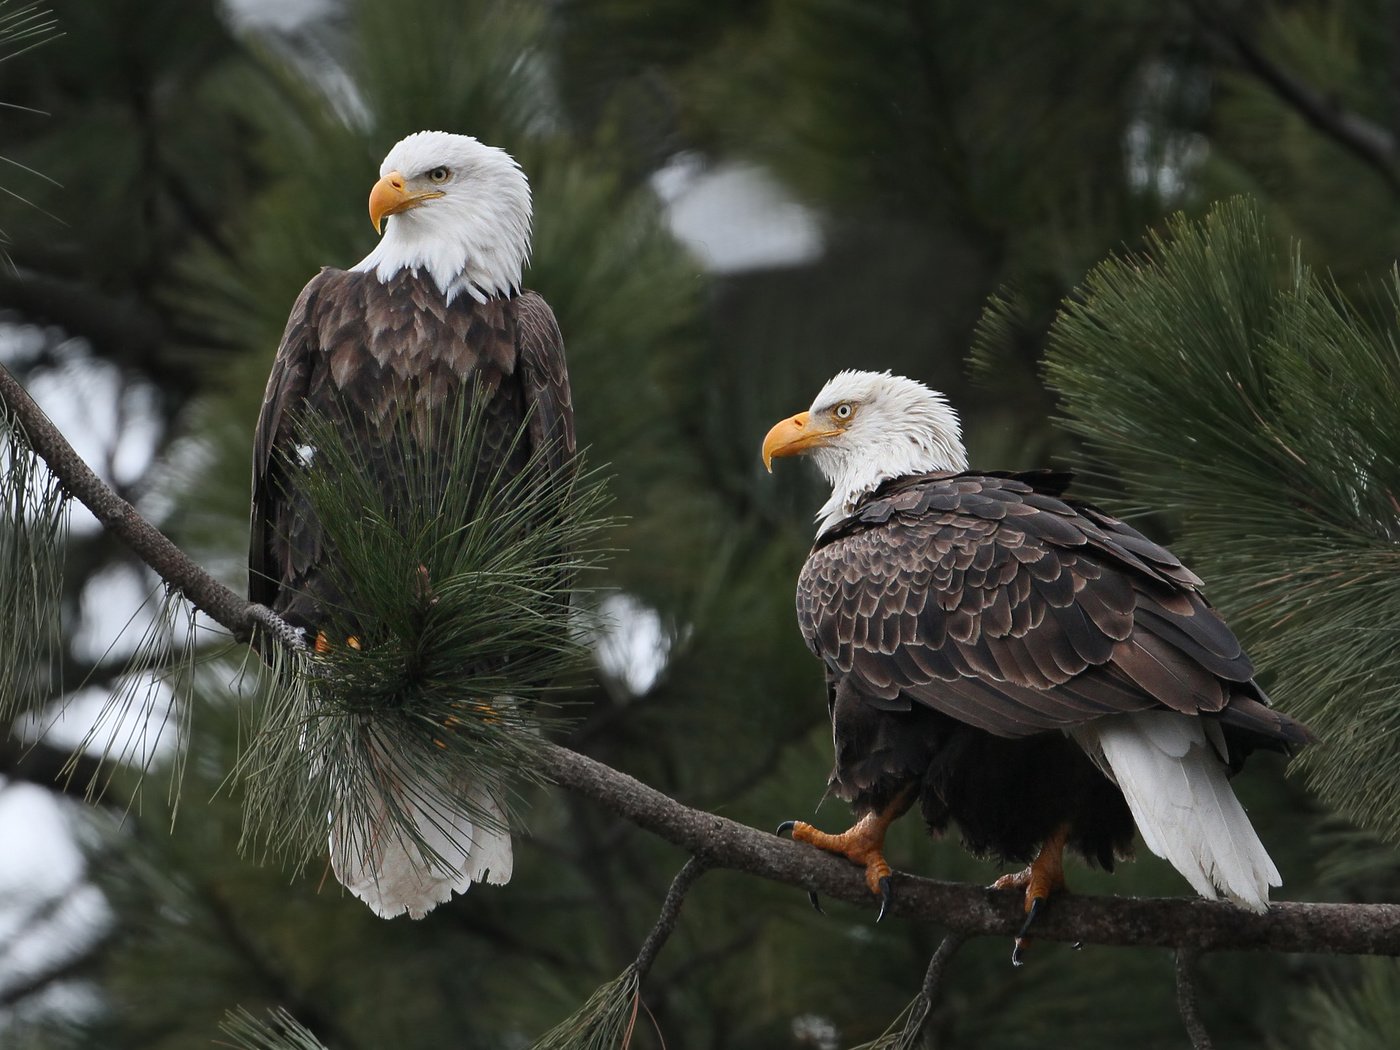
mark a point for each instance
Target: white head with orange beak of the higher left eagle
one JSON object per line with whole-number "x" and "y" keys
{"x": 454, "y": 208}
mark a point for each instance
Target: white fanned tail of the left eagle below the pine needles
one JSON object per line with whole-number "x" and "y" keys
{"x": 394, "y": 870}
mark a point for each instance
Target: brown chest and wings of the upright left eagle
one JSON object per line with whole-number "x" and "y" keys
{"x": 386, "y": 362}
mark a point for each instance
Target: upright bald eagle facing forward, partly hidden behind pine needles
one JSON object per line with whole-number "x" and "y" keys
{"x": 388, "y": 351}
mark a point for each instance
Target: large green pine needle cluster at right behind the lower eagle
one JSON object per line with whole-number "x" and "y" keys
{"x": 1241, "y": 397}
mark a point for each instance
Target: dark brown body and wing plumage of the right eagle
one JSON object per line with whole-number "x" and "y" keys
{"x": 967, "y": 619}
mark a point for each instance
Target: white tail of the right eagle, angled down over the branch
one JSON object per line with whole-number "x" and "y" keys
{"x": 1174, "y": 778}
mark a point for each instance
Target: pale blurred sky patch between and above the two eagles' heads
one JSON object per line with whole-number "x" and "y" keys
{"x": 736, "y": 216}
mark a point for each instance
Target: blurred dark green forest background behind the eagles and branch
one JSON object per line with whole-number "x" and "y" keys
{"x": 734, "y": 201}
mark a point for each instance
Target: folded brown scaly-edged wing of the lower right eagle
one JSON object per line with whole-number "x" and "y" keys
{"x": 1014, "y": 611}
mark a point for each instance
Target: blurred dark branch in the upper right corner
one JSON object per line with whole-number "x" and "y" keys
{"x": 1367, "y": 139}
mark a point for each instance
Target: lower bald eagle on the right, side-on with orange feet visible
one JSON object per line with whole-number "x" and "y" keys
{"x": 1020, "y": 664}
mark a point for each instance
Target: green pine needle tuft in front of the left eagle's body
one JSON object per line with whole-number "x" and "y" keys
{"x": 454, "y": 629}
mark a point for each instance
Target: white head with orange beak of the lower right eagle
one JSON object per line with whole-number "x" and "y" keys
{"x": 864, "y": 429}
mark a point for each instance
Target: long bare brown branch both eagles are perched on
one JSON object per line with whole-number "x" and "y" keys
{"x": 719, "y": 842}
